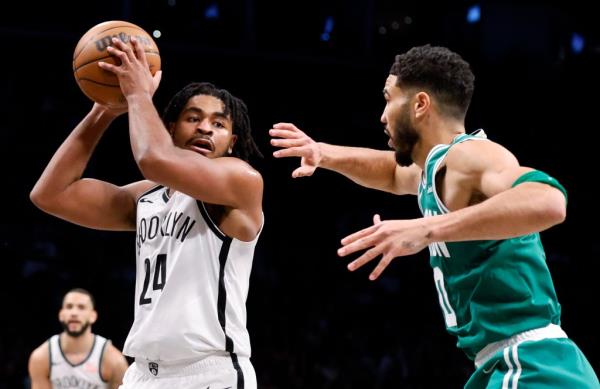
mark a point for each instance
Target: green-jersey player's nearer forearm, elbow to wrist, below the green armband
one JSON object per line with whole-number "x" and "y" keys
{"x": 522, "y": 210}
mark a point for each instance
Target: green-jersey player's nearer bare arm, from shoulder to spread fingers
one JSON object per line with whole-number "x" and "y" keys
{"x": 507, "y": 211}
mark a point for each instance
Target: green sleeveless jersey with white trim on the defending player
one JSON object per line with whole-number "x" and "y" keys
{"x": 488, "y": 290}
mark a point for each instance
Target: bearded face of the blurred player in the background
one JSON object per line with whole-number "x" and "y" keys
{"x": 76, "y": 314}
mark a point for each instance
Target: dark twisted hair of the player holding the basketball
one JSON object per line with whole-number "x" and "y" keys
{"x": 236, "y": 109}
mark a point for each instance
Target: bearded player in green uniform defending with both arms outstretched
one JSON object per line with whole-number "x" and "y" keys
{"x": 482, "y": 215}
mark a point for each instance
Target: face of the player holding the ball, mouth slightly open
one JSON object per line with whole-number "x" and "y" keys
{"x": 203, "y": 127}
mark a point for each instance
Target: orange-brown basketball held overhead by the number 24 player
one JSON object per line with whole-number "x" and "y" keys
{"x": 101, "y": 85}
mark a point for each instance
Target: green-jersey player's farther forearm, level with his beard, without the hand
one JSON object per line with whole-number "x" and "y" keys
{"x": 367, "y": 167}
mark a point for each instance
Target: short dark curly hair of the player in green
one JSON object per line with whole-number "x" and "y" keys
{"x": 440, "y": 72}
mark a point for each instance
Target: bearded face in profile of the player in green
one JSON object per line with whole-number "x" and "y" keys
{"x": 398, "y": 125}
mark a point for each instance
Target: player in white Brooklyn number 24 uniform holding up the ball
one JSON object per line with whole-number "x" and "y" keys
{"x": 197, "y": 218}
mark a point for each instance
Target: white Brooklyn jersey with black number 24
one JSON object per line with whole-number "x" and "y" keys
{"x": 191, "y": 282}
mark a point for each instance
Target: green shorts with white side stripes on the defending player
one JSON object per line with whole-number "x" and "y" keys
{"x": 540, "y": 364}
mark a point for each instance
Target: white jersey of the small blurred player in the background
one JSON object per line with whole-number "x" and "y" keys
{"x": 84, "y": 375}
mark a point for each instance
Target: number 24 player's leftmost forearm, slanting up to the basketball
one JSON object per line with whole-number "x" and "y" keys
{"x": 70, "y": 160}
